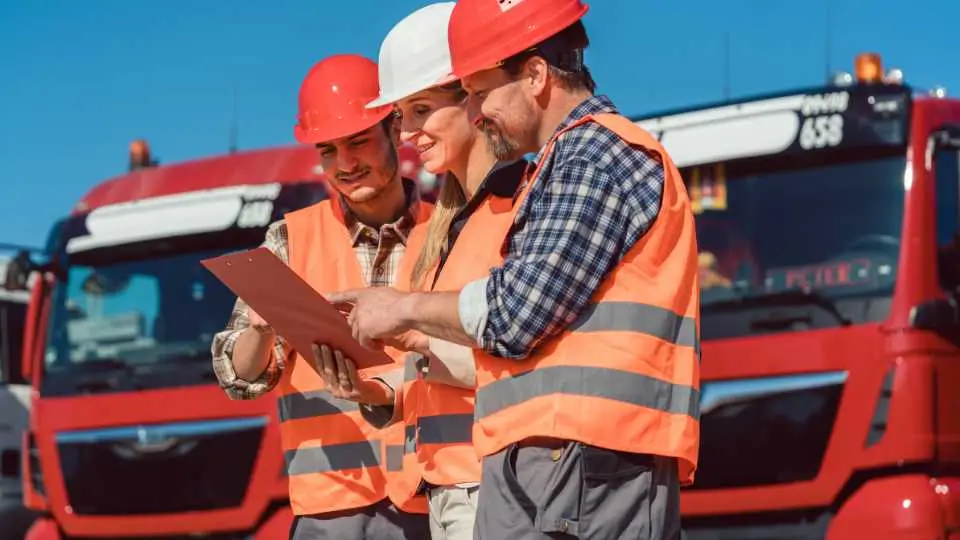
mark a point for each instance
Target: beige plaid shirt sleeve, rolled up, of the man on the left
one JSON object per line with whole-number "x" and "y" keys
{"x": 224, "y": 342}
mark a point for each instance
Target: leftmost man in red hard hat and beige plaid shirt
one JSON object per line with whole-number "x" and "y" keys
{"x": 364, "y": 235}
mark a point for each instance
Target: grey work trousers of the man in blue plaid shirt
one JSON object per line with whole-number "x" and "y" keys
{"x": 563, "y": 489}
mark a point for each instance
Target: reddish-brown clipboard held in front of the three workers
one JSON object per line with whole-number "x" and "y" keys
{"x": 290, "y": 305}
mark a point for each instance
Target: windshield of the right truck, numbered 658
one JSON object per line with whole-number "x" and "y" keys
{"x": 790, "y": 243}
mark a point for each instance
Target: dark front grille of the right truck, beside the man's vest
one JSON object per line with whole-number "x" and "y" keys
{"x": 769, "y": 430}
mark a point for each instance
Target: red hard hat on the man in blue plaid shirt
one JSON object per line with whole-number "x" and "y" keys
{"x": 483, "y": 33}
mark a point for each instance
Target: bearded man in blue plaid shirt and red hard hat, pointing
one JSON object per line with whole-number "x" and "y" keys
{"x": 586, "y": 337}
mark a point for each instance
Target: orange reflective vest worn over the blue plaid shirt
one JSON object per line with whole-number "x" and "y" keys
{"x": 626, "y": 375}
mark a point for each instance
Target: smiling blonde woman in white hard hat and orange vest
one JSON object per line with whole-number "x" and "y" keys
{"x": 415, "y": 76}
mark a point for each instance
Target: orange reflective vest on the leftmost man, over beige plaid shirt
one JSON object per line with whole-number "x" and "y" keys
{"x": 335, "y": 459}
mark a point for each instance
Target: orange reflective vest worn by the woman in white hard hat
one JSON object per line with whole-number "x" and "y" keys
{"x": 439, "y": 417}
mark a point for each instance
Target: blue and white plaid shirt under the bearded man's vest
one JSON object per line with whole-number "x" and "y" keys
{"x": 594, "y": 199}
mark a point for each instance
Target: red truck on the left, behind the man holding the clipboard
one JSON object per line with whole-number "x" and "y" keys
{"x": 130, "y": 435}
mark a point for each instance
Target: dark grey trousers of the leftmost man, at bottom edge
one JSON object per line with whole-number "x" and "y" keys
{"x": 381, "y": 521}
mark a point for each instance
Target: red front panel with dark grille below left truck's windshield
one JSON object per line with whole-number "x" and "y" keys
{"x": 126, "y": 440}
